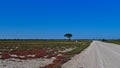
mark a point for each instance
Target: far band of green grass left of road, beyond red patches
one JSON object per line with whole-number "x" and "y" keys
{"x": 6, "y": 45}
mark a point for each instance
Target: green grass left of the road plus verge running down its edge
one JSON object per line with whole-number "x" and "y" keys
{"x": 19, "y": 45}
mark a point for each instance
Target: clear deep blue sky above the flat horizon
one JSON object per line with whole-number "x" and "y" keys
{"x": 51, "y": 19}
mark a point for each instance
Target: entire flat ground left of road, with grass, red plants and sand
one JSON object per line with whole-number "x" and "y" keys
{"x": 38, "y": 53}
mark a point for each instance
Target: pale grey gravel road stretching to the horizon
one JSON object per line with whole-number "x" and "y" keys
{"x": 97, "y": 55}
